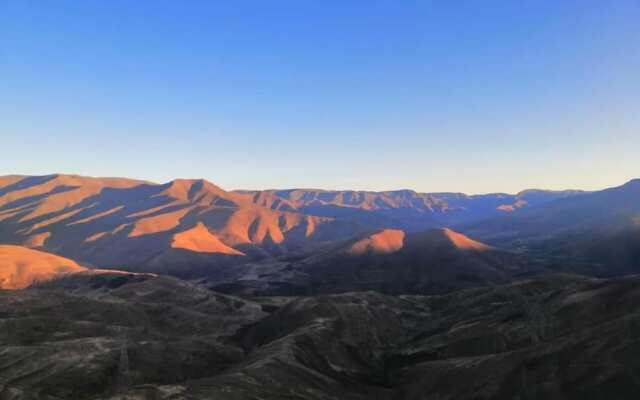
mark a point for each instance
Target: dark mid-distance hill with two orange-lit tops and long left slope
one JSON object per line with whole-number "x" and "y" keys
{"x": 389, "y": 261}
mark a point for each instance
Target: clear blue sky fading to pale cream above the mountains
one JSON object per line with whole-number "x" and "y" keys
{"x": 466, "y": 96}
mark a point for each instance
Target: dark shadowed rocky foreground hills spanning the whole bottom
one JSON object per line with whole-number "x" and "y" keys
{"x": 141, "y": 337}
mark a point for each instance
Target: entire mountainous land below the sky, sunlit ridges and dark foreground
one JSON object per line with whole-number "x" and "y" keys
{"x": 115, "y": 288}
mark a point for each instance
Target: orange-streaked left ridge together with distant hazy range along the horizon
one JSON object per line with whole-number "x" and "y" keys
{"x": 141, "y": 225}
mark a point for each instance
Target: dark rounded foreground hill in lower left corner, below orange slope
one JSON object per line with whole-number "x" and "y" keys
{"x": 89, "y": 336}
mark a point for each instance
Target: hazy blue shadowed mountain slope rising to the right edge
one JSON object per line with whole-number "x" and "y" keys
{"x": 596, "y": 233}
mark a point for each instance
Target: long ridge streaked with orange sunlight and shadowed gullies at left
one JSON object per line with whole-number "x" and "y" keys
{"x": 129, "y": 223}
